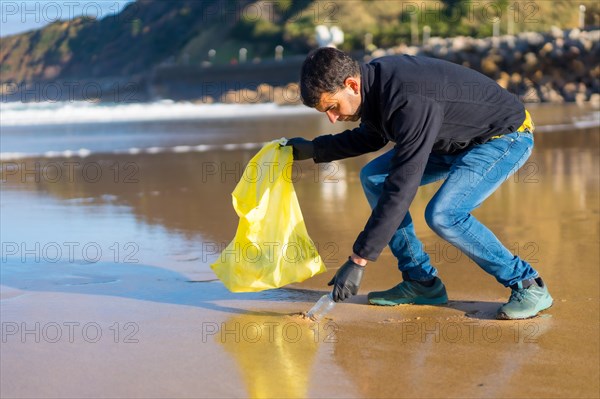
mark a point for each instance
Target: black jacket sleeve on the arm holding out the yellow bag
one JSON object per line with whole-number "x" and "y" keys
{"x": 349, "y": 143}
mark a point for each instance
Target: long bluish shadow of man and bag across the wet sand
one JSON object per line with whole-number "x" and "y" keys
{"x": 156, "y": 284}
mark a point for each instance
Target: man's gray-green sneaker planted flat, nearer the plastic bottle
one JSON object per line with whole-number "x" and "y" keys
{"x": 411, "y": 292}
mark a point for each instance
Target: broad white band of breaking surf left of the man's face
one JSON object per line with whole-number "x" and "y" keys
{"x": 35, "y": 114}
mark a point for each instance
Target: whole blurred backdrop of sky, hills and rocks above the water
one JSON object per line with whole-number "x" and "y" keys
{"x": 204, "y": 51}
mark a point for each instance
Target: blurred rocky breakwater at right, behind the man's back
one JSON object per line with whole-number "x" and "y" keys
{"x": 557, "y": 66}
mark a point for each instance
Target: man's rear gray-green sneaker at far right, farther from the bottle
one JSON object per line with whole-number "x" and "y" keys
{"x": 528, "y": 298}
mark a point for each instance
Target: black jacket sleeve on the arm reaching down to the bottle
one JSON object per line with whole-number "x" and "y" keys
{"x": 414, "y": 126}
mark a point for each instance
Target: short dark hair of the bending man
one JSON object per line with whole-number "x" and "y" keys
{"x": 324, "y": 71}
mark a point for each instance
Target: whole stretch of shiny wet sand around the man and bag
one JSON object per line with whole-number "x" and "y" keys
{"x": 147, "y": 318}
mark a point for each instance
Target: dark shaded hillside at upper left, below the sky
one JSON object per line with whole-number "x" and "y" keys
{"x": 142, "y": 35}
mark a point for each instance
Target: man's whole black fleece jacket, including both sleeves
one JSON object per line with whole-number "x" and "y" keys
{"x": 423, "y": 105}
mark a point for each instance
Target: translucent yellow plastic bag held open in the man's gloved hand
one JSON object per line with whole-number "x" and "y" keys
{"x": 271, "y": 247}
